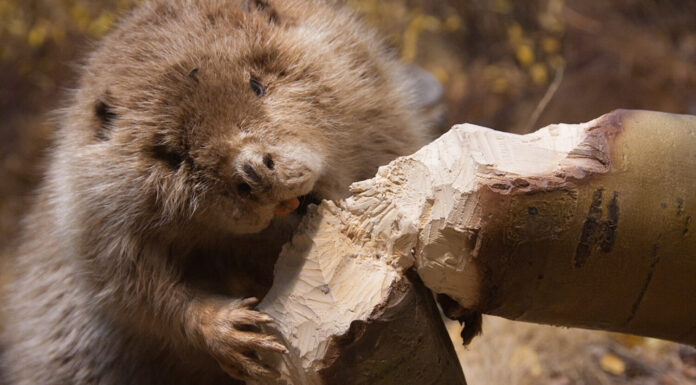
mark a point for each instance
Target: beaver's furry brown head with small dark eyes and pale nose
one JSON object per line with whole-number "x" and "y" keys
{"x": 214, "y": 112}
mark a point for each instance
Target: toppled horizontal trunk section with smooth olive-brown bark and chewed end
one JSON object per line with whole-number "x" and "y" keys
{"x": 585, "y": 226}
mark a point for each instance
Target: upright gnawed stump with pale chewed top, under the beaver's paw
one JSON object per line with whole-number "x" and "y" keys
{"x": 348, "y": 316}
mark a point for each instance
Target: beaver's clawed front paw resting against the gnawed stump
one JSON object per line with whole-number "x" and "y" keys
{"x": 232, "y": 336}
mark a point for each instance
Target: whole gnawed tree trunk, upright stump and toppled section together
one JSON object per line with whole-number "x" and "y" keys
{"x": 585, "y": 225}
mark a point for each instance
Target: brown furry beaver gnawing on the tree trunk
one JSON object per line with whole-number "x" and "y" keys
{"x": 156, "y": 226}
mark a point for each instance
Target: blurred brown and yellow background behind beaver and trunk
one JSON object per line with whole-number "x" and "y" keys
{"x": 510, "y": 65}
